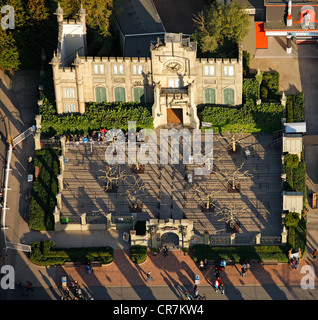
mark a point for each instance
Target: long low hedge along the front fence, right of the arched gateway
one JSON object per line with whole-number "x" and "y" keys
{"x": 237, "y": 254}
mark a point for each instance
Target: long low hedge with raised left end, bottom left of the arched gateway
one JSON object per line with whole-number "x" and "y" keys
{"x": 44, "y": 253}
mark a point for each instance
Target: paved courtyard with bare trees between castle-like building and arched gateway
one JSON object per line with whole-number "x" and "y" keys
{"x": 168, "y": 193}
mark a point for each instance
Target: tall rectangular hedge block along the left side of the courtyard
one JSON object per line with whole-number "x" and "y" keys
{"x": 44, "y": 190}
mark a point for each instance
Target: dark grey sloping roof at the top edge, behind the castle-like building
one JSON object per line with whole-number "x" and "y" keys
{"x": 138, "y": 17}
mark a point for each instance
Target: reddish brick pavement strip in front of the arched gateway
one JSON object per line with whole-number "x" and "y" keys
{"x": 177, "y": 269}
